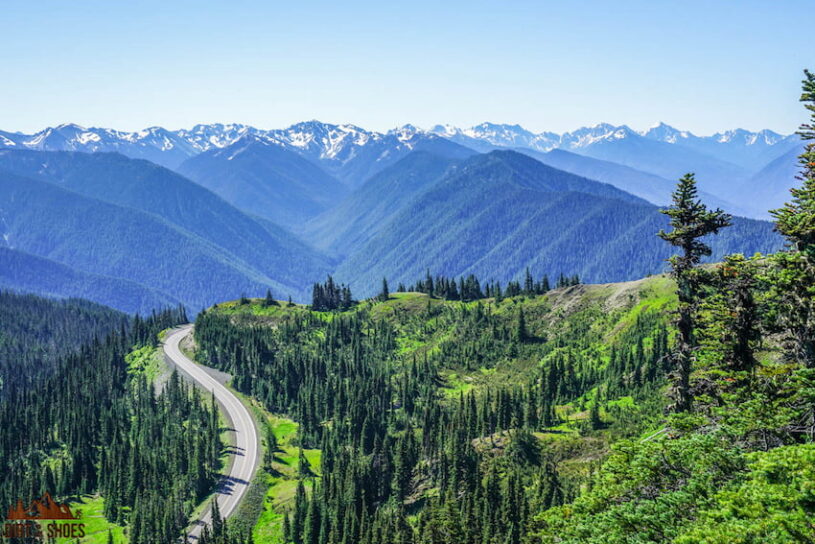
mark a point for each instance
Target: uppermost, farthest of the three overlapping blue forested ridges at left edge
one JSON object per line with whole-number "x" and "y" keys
{"x": 141, "y": 185}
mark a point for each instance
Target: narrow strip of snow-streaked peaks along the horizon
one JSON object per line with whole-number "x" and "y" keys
{"x": 341, "y": 142}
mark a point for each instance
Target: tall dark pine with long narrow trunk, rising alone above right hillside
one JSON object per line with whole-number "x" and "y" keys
{"x": 690, "y": 221}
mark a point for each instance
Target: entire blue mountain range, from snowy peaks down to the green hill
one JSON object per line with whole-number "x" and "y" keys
{"x": 193, "y": 216}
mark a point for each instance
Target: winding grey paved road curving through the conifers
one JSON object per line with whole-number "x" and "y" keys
{"x": 234, "y": 485}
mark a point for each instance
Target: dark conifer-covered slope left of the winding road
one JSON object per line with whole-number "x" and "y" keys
{"x": 88, "y": 422}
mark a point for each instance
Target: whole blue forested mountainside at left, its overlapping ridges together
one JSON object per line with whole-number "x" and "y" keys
{"x": 108, "y": 215}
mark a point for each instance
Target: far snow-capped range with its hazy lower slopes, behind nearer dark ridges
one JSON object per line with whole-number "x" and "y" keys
{"x": 726, "y": 163}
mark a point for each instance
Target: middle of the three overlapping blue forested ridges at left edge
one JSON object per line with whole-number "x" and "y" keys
{"x": 122, "y": 242}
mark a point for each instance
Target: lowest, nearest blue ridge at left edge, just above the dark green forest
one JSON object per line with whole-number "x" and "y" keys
{"x": 28, "y": 273}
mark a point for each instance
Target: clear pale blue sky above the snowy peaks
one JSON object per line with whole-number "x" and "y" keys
{"x": 702, "y": 66}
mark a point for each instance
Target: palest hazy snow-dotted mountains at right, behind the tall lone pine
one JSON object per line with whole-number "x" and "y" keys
{"x": 724, "y": 162}
